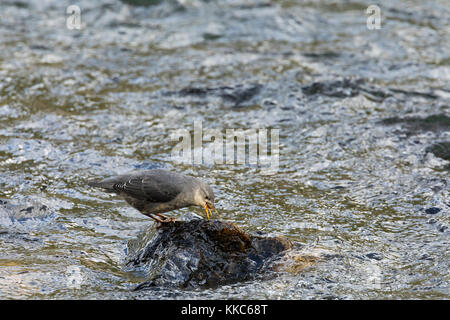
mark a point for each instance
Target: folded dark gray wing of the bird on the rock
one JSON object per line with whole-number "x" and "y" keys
{"x": 151, "y": 187}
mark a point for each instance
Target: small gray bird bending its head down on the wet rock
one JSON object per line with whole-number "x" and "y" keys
{"x": 153, "y": 192}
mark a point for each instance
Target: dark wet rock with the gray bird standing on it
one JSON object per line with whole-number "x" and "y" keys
{"x": 204, "y": 253}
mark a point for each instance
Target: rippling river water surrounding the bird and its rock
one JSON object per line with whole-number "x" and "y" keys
{"x": 358, "y": 111}
